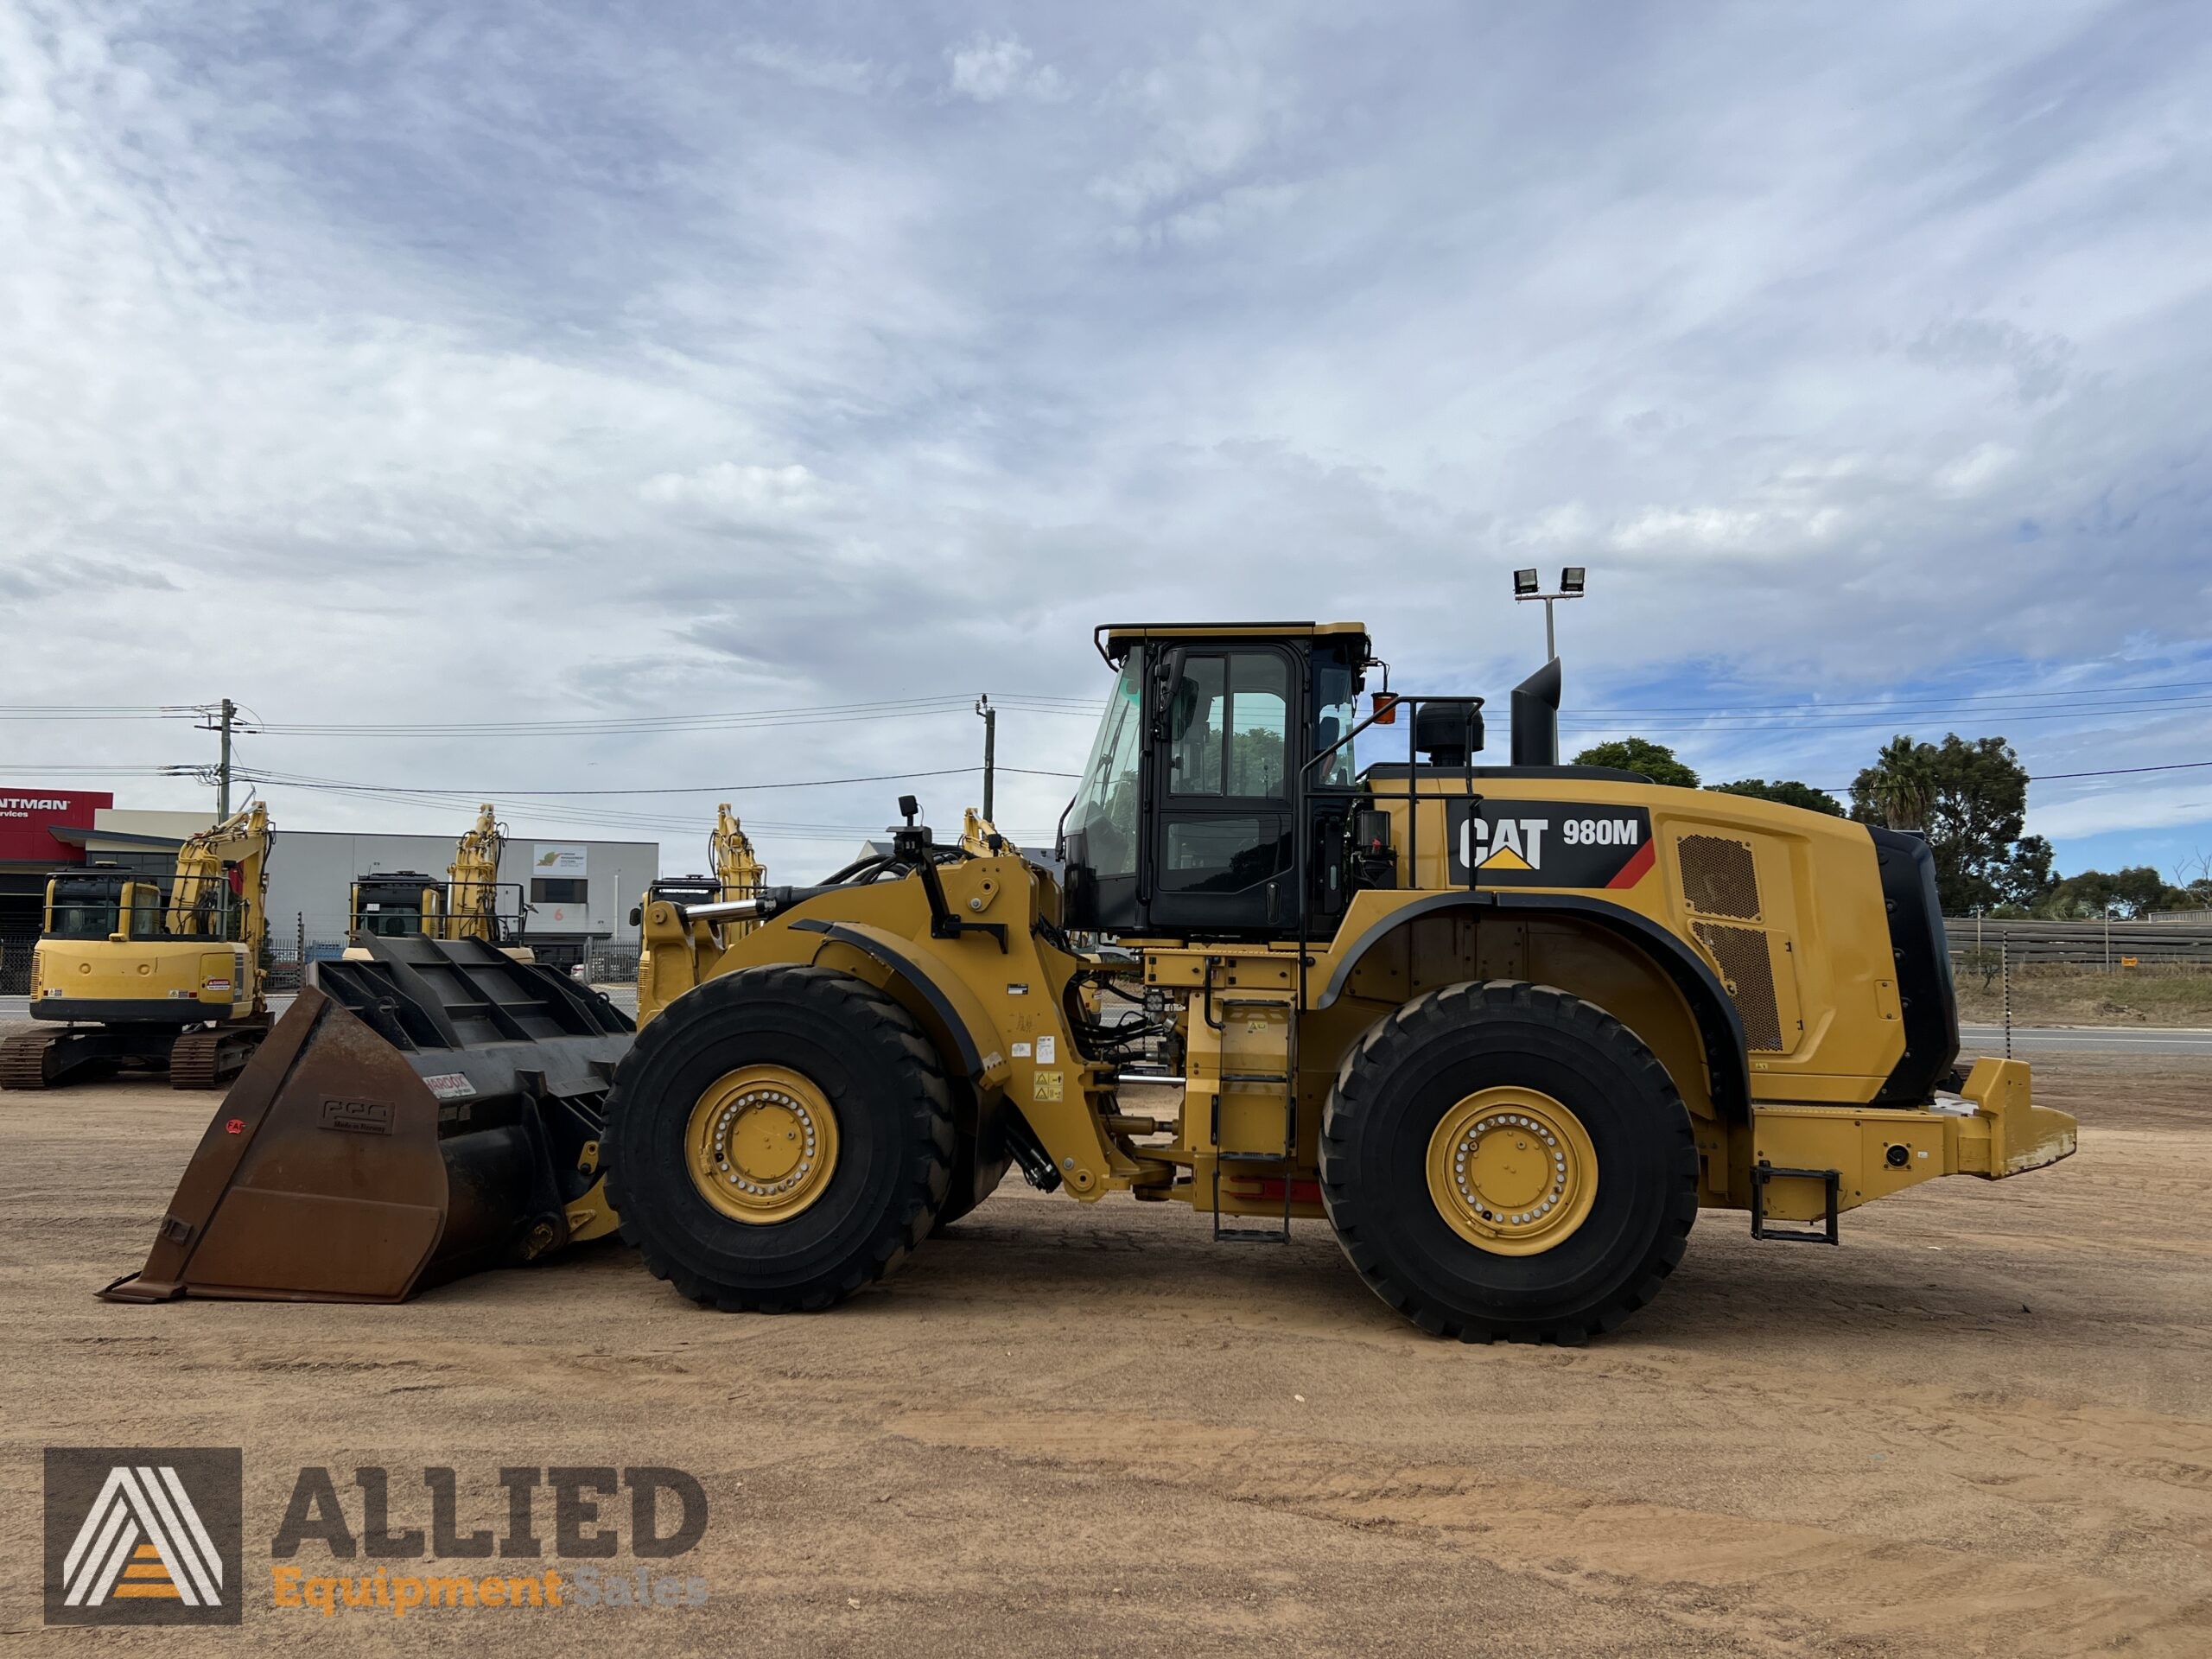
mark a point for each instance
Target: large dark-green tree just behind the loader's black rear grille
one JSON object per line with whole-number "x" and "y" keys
{"x": 1970, "y": 800}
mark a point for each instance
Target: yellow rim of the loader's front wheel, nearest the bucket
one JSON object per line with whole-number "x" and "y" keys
{"x": 762, "y": 1145}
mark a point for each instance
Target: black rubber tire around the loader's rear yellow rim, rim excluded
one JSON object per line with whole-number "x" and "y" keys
{"x": 1375, "y": 1151}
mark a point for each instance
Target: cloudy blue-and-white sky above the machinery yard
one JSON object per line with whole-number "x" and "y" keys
{"x": 410, "y": 373}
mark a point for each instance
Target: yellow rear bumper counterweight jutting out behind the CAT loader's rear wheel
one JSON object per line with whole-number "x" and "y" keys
{"x": 1996, "y": 1129}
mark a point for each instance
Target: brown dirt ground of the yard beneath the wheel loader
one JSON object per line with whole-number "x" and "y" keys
{"x": 1981, "y": 1428}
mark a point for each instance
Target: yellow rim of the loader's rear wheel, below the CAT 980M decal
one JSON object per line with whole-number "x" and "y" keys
{"x": 1512, "y": 1171}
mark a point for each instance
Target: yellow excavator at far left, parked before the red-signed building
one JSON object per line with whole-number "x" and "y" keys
{"x": 132, "y": 977}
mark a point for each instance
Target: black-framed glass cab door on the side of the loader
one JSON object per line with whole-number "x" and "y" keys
{"x": 1224, "y": 791}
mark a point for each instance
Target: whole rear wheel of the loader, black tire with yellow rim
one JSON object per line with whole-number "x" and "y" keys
{"x": 1477, "y": 1061}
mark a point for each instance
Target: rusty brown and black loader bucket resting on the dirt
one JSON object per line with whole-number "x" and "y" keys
{"x": 417, "y": 1116}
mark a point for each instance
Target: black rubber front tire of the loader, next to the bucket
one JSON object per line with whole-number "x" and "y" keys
{"x": 864, "y": 1058}
